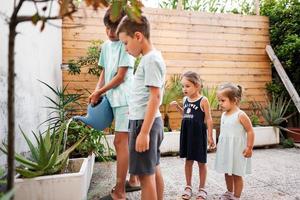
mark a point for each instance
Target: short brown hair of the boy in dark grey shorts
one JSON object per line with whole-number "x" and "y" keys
{"x": 130, "y": 26}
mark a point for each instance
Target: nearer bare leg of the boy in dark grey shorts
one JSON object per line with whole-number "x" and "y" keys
{"x": 148, "y": 187}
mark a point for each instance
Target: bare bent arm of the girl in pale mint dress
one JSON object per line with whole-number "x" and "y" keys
{"x": 245, "y": 121}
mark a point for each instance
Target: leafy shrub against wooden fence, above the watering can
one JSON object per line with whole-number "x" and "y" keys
{"x": 90, "y": 60}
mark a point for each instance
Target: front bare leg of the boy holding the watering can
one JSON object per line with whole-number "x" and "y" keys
{"x": 121, "y": 146}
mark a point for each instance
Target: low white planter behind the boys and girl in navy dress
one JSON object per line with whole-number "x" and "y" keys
{"x": 169, "y": 144}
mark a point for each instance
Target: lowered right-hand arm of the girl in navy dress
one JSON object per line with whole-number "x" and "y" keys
{"x": 208, "y": 120}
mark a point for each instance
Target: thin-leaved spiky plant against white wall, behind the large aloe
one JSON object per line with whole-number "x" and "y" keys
{"x": 62, "y": 105}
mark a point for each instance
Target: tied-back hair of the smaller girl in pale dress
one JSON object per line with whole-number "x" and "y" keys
{"x": 232, "y": 91}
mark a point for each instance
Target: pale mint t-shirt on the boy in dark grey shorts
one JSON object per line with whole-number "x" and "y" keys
{"x": 150, "y": 72}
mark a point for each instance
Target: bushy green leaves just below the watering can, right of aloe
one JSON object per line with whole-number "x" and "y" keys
{"x": 95, "y": 141}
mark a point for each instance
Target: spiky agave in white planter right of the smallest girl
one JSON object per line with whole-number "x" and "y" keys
{"x": 273, "y": 114}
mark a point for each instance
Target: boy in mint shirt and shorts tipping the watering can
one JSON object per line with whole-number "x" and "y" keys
{"x": 116, "y": 81}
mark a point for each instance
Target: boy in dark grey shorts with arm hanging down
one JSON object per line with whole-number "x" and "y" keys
{"x": 145, "y": 122}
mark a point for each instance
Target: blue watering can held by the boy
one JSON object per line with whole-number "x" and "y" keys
{"x": 99, "y": 116}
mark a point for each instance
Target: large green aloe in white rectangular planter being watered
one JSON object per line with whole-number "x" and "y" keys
{"x": 48, "y": 170}
